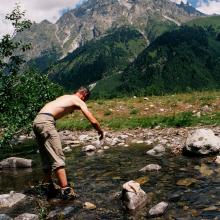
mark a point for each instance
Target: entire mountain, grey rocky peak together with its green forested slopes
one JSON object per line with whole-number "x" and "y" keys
{"x": 128, "y": 47}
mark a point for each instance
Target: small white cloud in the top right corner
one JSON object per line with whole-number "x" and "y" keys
{"x": 209, "y": 7}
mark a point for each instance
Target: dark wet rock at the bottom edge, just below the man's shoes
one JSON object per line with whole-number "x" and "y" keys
{"x": 60, "y": 213}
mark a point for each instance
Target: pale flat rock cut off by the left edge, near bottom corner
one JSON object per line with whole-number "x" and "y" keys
{"x": 8, "y": 200}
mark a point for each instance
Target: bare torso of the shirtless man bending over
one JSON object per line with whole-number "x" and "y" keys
{"x": 63, "y": 105}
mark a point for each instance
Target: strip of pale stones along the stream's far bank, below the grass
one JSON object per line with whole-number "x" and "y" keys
{"x": 172, "y": 139}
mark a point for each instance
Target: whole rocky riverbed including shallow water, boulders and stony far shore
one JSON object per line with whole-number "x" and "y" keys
{"x": 171, "y": 185}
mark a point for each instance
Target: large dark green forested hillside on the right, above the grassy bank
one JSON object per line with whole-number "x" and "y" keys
{"x": 178, "y": 61}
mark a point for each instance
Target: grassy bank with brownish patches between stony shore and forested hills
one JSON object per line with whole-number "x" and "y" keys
{"x": 199, "y": 108}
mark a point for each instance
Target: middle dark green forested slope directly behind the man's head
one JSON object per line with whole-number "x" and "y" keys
{"x": 99, "y": 59}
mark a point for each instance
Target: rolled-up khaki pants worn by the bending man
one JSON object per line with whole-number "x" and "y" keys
{"x": 49, "y": 142}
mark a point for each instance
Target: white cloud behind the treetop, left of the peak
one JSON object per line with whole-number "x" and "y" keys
{"x": 36, "y": 10}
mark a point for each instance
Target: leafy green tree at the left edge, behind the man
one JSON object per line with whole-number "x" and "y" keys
{"x": 22, "y": 92}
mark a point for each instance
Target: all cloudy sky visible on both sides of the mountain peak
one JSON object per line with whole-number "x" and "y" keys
{"x": 38, "y": 10}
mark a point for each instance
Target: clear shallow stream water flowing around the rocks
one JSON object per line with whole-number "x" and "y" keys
{"x": 100, "y": 177}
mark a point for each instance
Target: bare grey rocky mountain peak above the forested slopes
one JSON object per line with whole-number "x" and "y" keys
{"x": 94, "y": 17}
